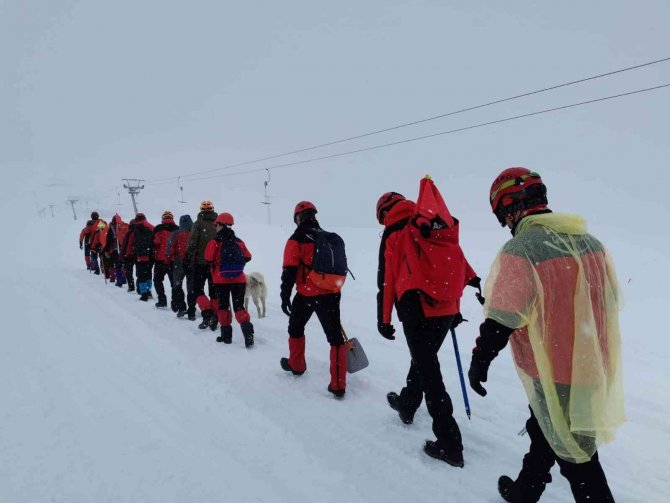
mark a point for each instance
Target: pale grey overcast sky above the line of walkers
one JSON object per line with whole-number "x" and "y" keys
{"x": 93, "y": 91}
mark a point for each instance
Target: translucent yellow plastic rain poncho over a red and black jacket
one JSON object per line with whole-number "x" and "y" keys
{"x": 556, "y": 285}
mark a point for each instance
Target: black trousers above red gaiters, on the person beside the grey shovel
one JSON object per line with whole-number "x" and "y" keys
{"x": 327, "y": 308}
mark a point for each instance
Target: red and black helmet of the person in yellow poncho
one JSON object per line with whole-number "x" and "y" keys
{"x": 515, "y": 189}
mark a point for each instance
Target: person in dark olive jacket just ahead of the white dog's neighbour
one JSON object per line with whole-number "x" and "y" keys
{"x": 203, "y": 231}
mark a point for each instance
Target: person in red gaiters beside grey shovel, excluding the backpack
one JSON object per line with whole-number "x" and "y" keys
{"x": 298, "y": 256}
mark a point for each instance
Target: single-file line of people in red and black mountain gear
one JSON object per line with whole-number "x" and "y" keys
{"x": 552, "y": 294}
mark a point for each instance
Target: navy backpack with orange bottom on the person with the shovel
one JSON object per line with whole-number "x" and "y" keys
{"x": 329, "y": 264}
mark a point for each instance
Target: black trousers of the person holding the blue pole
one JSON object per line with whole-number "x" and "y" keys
{"x": 424, "y": 339}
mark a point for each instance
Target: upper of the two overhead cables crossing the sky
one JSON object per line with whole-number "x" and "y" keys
{"x": 420, "y": 121}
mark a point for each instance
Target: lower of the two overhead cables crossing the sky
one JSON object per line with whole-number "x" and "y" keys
{"x": 433, "y": 135}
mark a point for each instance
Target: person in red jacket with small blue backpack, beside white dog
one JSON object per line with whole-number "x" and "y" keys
{"x": 227, "y": 255}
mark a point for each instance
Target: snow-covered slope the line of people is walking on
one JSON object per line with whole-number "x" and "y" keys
{"x": 108, "y": 399}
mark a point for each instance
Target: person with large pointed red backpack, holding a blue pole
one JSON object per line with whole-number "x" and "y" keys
{"x": 427, "y": 305}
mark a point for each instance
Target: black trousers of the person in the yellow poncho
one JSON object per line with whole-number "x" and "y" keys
{"x": 587, "y": 480}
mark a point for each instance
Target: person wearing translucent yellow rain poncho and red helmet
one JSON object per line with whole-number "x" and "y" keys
{"x": 552, "y": 292}
